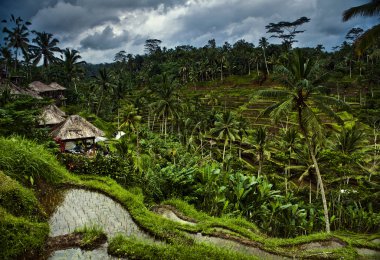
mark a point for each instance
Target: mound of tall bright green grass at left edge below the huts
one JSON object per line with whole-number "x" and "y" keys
{"x": 26, "y": 161}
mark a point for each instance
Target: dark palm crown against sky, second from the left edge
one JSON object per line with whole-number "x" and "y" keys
{"x": 45, "y": 48}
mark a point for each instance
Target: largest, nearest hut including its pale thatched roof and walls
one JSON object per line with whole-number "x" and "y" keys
{"x": 75, "y": 129}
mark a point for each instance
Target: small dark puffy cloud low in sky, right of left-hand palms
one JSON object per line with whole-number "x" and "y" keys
{"x": 104, "y": 40}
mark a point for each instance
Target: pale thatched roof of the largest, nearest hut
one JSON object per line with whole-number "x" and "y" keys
{"x": 76, "y": 127}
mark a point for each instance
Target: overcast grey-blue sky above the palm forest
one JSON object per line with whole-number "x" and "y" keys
{"x": 101, "y": 28}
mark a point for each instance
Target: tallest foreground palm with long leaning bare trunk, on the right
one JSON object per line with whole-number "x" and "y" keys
{"x": 303, "y": 97}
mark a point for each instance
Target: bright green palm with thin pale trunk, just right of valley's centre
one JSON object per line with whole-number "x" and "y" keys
{"x": 226, "y": 127}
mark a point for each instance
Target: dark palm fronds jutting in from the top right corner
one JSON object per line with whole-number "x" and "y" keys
{"x": 372, "y": 8}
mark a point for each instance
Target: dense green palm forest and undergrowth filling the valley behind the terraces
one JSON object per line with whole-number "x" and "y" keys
{"x": 287, "y": 138}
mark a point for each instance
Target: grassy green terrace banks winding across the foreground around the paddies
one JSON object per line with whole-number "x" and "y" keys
{"x": 25, "y": 228}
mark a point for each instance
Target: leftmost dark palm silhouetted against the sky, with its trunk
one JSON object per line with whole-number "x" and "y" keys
{"x": 17, "y": 37}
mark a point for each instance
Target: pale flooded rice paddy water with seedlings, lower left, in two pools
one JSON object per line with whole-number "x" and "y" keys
{"x": 75, "y": 208}
